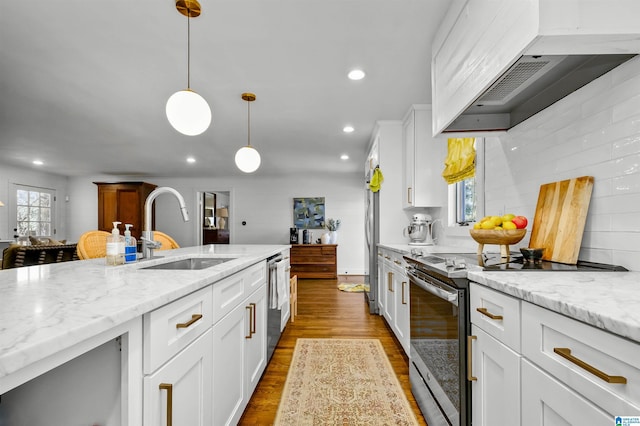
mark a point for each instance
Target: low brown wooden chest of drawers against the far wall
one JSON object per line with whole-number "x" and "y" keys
{"x": 314, "y": 261}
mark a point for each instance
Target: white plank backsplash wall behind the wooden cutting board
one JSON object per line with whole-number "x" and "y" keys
{"x": 596, "y": 132}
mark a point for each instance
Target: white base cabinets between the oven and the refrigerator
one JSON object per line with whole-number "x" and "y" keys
{"x": 394, "y": 286}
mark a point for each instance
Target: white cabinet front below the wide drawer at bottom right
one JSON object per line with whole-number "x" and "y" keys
{"x": 547, "y": 402}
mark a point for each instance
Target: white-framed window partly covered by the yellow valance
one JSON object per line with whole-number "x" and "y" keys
{"x": 466, "y": 198}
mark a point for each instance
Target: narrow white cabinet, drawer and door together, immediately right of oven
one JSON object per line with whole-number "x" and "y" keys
{"x": 495, "y": 391}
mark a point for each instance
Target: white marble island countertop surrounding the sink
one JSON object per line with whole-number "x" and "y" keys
{"x": 49, "y": 308}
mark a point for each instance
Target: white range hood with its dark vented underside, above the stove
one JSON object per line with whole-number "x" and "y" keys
{"x": 482, "y": 42}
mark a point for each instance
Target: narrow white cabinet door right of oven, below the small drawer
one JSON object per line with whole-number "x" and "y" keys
{"x": 496, "y": 391}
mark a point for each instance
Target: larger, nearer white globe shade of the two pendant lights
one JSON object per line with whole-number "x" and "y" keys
{"x": 188, "y": 112}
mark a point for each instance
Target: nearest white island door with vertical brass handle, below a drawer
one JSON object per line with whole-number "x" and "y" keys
{"x": 181, "y": 389}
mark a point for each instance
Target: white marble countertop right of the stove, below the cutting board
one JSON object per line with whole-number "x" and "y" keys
{"x": 607, "y": 300}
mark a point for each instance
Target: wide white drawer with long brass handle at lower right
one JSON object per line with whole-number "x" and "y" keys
{"x": 603, "y": 353}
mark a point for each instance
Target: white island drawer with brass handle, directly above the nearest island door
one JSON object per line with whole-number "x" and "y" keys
{"x": 169, "y": 329}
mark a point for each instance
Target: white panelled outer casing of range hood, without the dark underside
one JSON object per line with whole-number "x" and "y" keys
{"x": 480, "y": 39}
